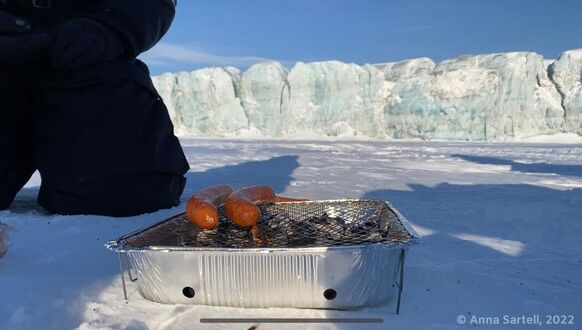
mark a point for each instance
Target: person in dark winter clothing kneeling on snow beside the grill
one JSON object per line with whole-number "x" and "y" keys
{"x": 76, "y": 105}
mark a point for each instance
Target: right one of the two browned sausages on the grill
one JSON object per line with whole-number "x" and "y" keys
{"x": 241, "y": 206}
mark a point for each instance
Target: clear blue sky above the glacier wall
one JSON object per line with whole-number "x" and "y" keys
{"x": 242, "y": 32}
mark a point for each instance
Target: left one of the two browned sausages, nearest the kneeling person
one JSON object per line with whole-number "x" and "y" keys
{"x": 201, "y": 208}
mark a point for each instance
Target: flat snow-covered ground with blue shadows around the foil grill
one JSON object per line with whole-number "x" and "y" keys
{"x": 501, "y": 225}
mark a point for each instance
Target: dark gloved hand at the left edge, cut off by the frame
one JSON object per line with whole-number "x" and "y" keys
{"x": 19, "y": 50}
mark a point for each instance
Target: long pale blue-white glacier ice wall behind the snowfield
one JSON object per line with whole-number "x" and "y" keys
{"x": 490, "y": 97}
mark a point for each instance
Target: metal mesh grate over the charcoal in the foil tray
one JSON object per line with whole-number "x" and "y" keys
{"x": 283, "y": 225}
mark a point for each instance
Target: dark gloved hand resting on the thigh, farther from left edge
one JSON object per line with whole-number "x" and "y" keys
{"x": 81, "y": 42}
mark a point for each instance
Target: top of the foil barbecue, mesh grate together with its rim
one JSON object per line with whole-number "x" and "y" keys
{"x": 350, "y": 220}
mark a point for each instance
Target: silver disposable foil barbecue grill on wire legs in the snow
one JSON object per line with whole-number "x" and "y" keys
{"x": 319, "y": 254}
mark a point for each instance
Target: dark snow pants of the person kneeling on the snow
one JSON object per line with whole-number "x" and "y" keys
{"x": 100, "y": 137}
